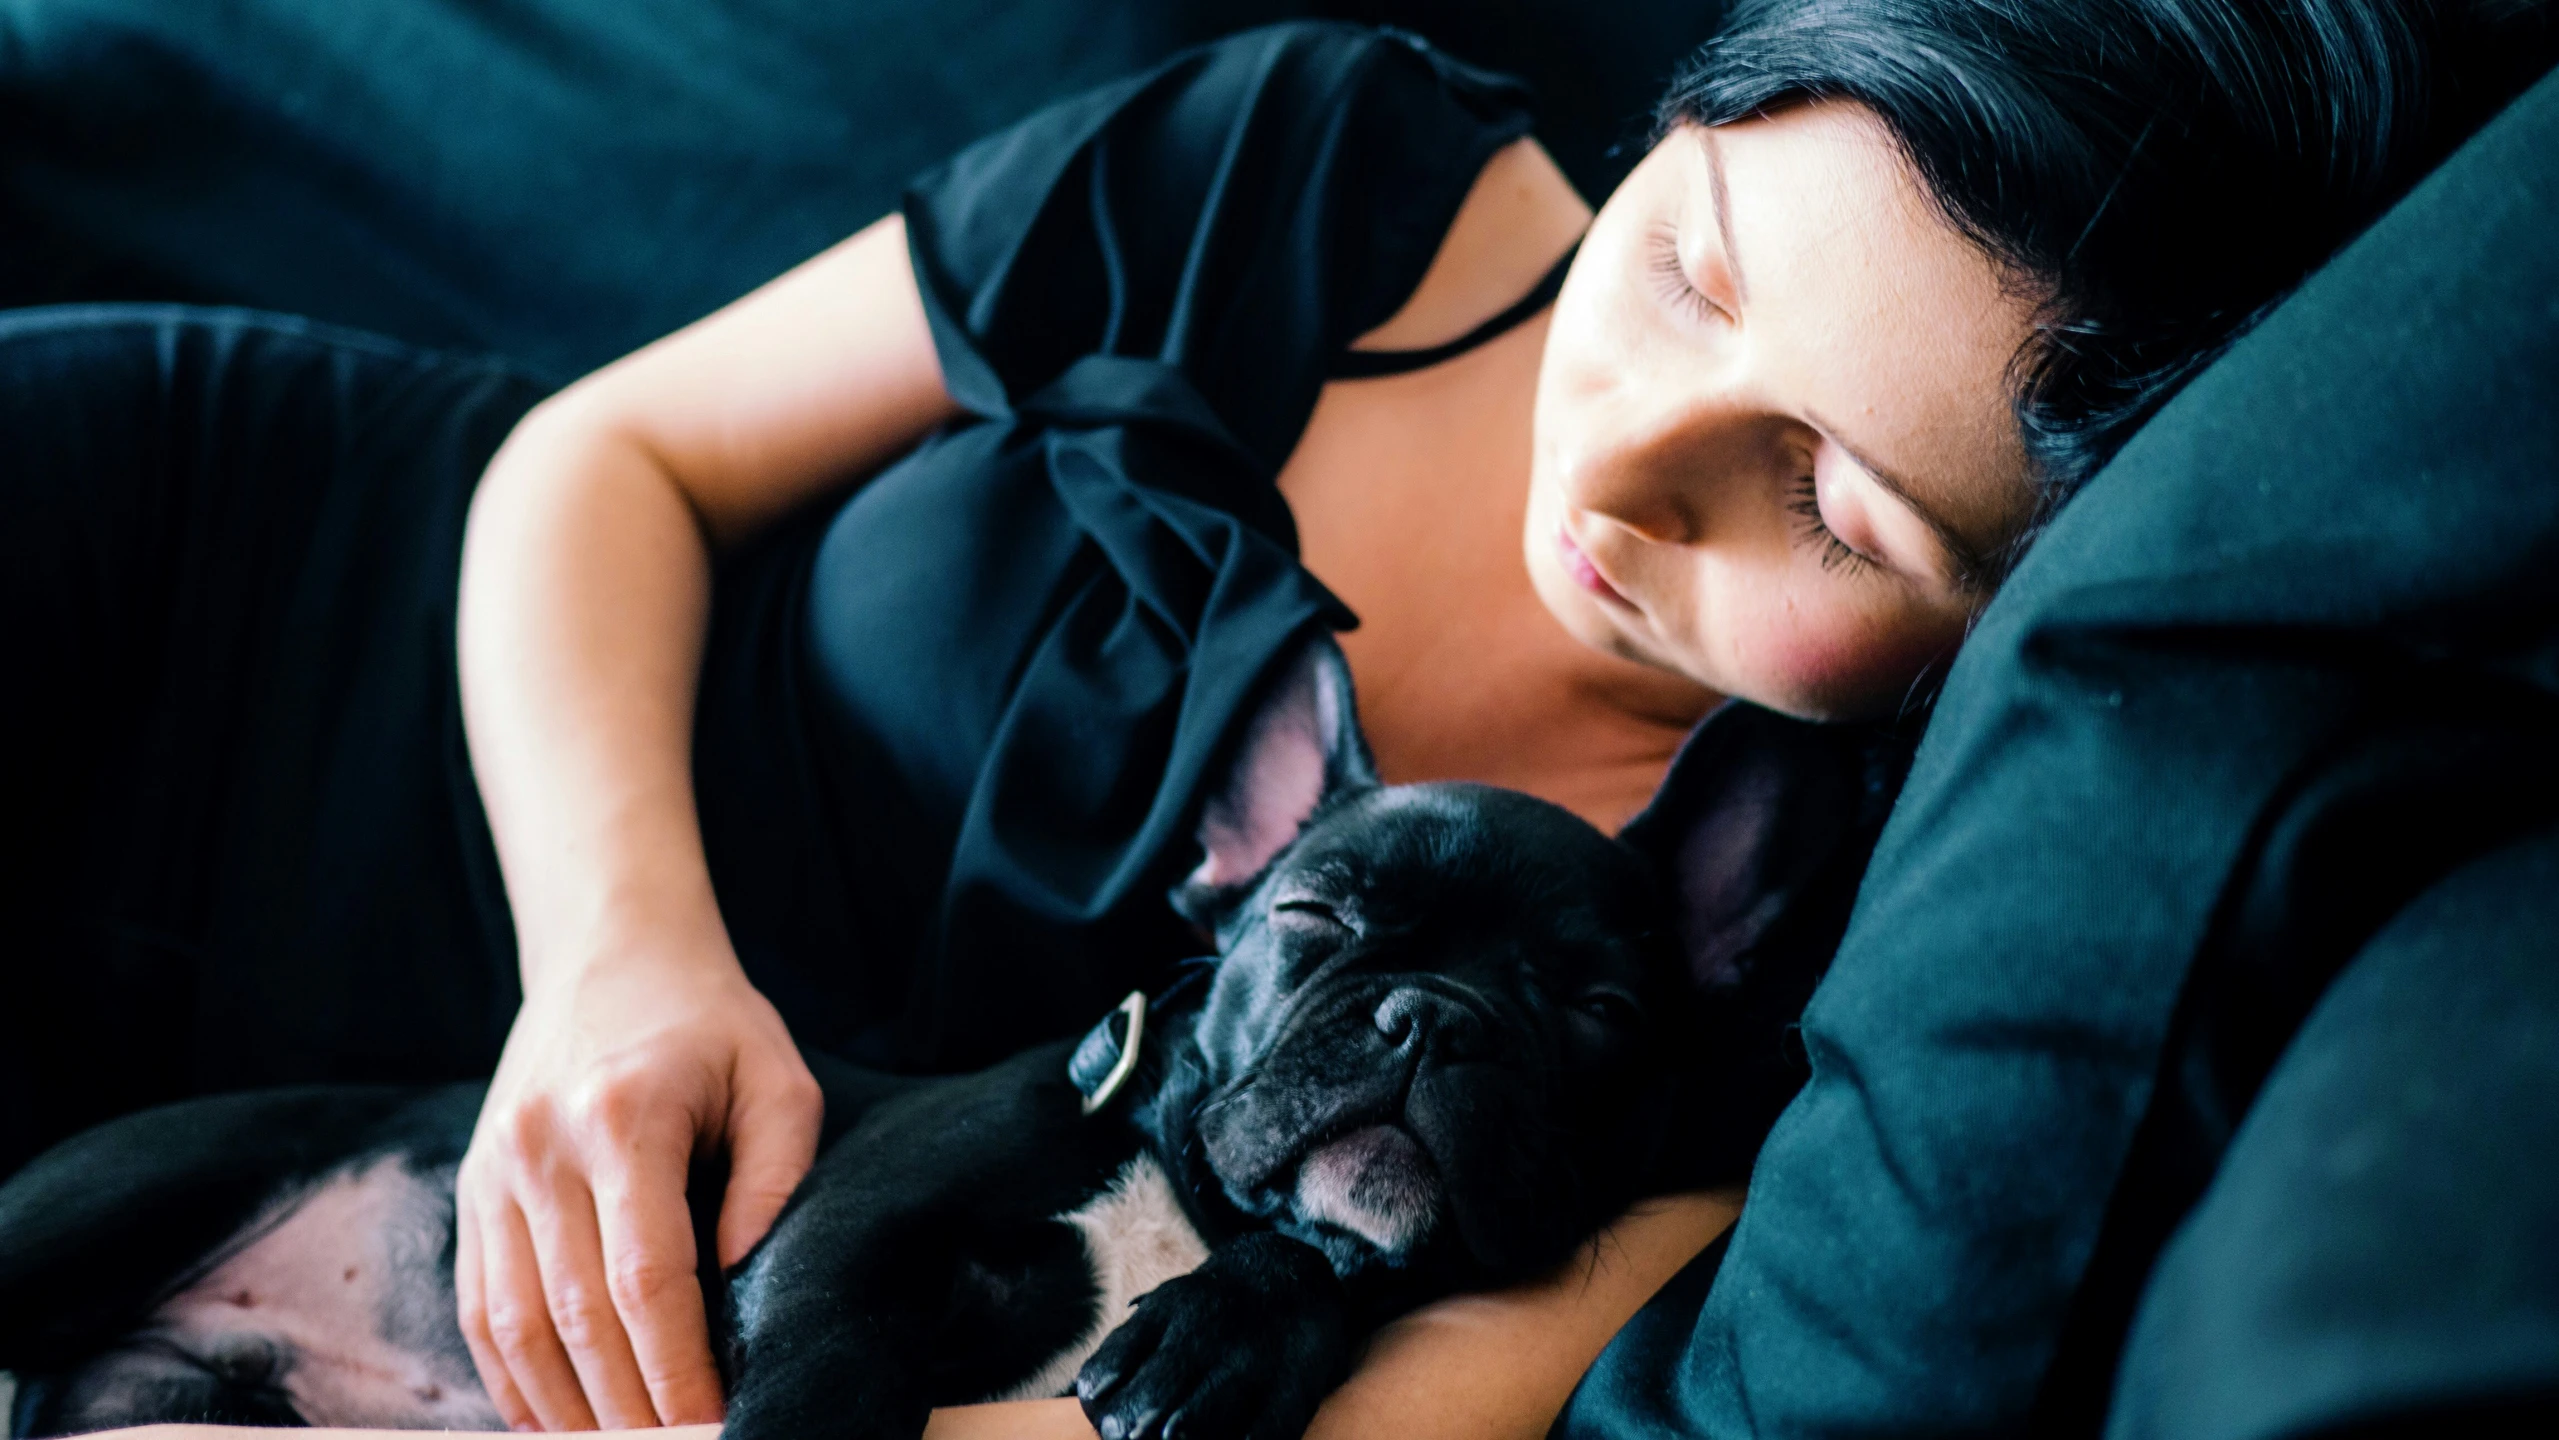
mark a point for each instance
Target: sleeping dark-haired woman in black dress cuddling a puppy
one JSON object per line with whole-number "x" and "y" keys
{"x": 841, "y": 669}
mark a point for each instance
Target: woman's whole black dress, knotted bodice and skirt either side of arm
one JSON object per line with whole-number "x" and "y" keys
{"x": 951, "y": 725}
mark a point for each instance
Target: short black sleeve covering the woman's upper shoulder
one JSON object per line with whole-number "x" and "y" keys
{"x": 1240, "y": 214}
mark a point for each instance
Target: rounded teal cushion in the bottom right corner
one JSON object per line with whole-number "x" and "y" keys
{"x": 2379, "y": 1242}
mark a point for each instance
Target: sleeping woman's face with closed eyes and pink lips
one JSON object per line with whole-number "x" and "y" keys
{"x": 1775, "y": 441}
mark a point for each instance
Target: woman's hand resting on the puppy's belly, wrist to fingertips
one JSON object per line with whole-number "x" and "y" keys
{"x": 574, "y": 1249}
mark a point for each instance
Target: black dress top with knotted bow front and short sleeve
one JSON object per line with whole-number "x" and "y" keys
{"x": 953, "y": 733}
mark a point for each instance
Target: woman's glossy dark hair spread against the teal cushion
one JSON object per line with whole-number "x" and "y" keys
{"x": 2153, "y": 173}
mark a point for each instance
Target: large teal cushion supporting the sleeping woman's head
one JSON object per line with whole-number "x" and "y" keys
{"x": 2289, "y": 661}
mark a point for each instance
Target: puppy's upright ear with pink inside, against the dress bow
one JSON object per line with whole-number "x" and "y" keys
{"x": 1301, "y": 751}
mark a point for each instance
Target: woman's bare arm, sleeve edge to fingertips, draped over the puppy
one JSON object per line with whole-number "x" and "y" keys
{"x": 585, "y": 600}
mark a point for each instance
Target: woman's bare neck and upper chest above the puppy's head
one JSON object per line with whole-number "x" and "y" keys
{"x": 1411, "y": 497}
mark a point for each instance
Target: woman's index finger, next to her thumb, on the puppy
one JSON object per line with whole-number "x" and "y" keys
{"x": 649, "y": 1262}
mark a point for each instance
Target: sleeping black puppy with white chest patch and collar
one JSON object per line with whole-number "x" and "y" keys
{"x": 1427, "y": 1060}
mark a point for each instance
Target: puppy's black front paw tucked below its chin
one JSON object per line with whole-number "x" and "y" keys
{"x": 1240, "y": 1349}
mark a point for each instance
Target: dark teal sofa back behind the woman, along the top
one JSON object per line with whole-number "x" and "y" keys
{"x": 567, "y": 180}
